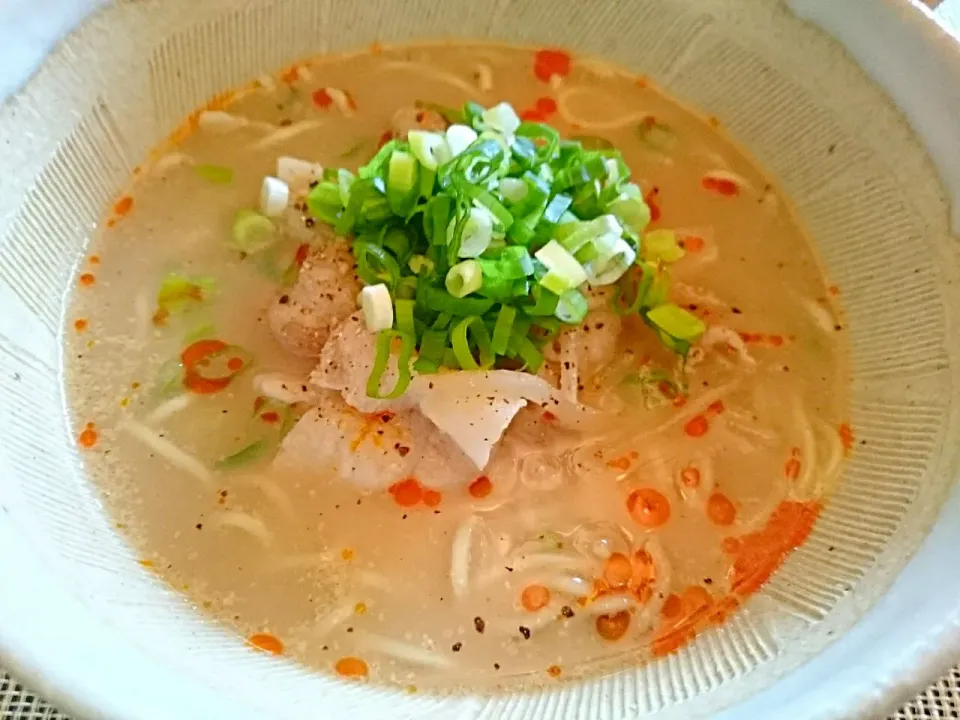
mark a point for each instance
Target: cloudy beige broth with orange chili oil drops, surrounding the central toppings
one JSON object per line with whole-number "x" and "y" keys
{"x": 333, "y": 572}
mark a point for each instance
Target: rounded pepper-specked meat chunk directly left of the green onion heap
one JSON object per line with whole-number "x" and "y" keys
{"x": 325, "y": 293}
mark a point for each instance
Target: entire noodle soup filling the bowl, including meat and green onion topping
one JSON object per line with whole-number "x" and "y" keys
{"x": 652, "y": 473}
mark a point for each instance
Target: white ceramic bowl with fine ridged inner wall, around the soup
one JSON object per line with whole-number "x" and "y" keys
{"x": 858, "y": 618}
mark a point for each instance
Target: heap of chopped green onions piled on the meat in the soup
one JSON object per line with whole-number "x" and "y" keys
{"x": 485, "y": 236}
